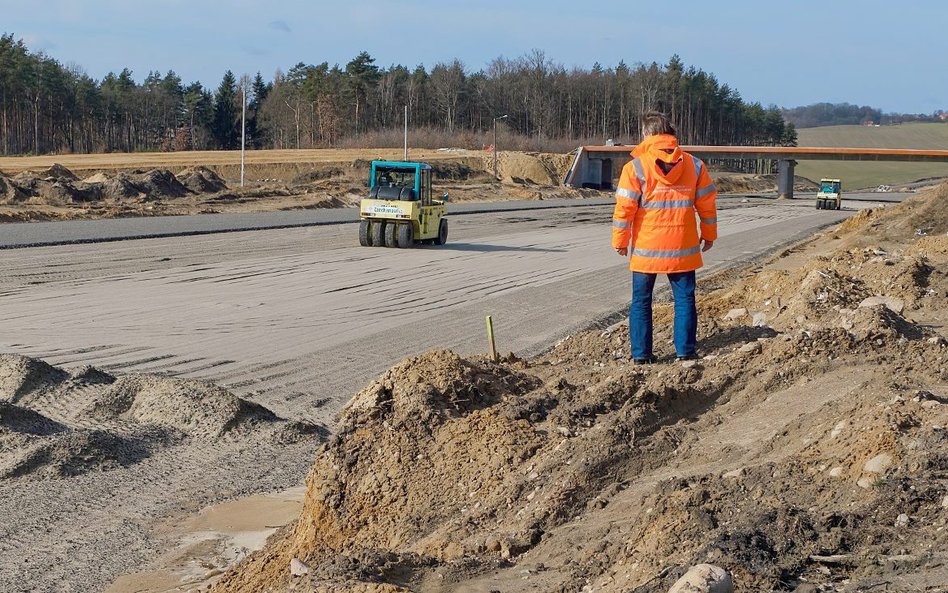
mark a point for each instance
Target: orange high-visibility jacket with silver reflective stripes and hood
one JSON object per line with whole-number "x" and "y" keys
{"x": 655, "y": 211}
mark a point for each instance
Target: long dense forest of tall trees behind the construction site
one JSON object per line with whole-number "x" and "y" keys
{"x": 46, "y": 107}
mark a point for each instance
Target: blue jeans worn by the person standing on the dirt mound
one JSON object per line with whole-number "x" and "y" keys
{"x": 640, "y": 313}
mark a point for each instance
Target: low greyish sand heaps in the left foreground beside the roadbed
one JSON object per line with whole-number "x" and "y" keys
{"x": 56, "y": 423}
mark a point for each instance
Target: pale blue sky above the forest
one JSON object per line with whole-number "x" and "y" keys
{"x": 885, "y": 54}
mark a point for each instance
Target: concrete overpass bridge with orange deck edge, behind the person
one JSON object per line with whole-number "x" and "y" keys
{"x": 599, "y": 166}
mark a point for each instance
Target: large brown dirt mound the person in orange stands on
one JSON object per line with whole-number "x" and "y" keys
{"x": 771, "y": 456}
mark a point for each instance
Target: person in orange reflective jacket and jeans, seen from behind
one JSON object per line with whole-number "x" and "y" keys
{"x": 659, "y": 193}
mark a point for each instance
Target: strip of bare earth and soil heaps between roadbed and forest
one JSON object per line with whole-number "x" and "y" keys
{"x": 109, "y": 186}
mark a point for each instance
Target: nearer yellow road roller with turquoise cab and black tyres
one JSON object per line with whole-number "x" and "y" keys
{"x": 400, "y": 209}
